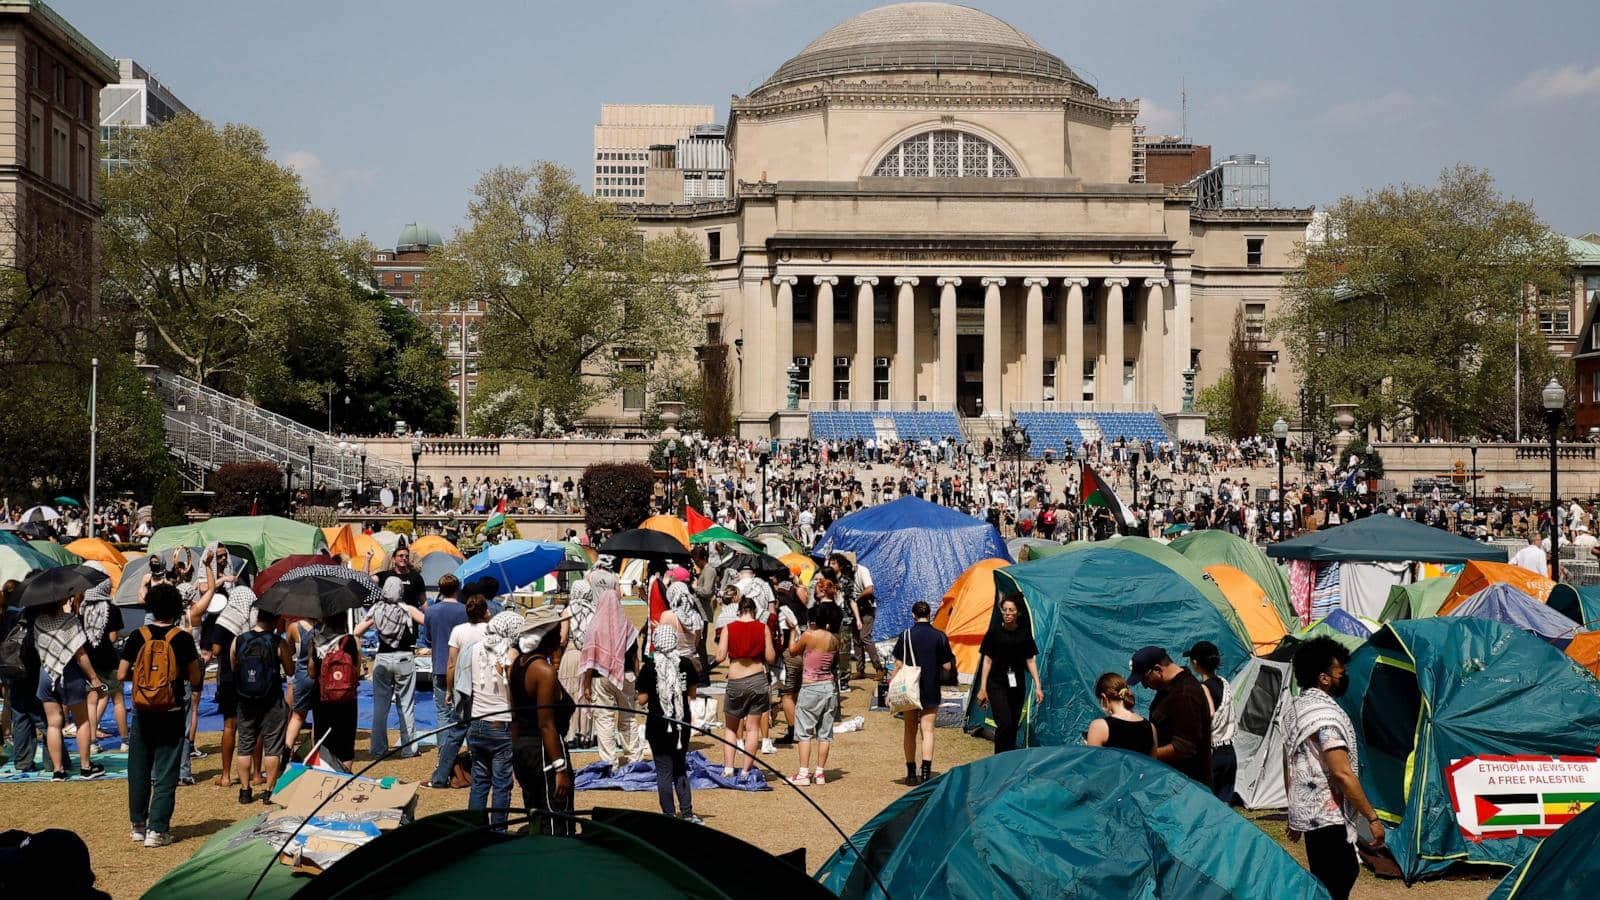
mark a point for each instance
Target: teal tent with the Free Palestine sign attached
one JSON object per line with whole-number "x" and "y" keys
{"x": 1431, "y": 697}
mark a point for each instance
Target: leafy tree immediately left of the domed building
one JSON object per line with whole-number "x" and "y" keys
{"x": 570, "y": 289}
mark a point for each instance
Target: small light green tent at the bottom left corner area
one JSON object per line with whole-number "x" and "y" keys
{"x": 220, "y": 869}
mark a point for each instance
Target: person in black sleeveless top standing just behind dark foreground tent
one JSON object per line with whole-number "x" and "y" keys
{"x": 540, "y": 715}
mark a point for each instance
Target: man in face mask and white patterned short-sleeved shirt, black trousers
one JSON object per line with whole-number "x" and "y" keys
{"x": 1322, "y": 769}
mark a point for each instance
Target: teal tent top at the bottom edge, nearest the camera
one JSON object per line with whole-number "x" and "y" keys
{"x": 1065, "y": 822}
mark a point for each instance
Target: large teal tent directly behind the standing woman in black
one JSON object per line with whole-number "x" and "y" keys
{"x": 1090, "y": 611}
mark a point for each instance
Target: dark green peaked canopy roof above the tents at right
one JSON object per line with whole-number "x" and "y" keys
{"x": 1385, "y": 539}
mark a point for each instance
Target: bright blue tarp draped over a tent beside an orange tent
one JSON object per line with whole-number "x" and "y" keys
{"x": 914, "y": 550}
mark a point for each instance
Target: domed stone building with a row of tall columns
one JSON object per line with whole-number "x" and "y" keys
{"x": 935, "y": 212}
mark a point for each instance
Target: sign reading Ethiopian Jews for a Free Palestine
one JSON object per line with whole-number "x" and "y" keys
{"x": 1508, "y": 797}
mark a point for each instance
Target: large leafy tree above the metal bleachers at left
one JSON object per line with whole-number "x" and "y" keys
{"x": 236, "y": 279}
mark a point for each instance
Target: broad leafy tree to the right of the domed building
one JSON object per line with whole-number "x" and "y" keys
{"x": 1410, "y": 305}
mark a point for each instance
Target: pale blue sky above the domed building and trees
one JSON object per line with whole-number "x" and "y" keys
{"x": 393, "y": 110}
